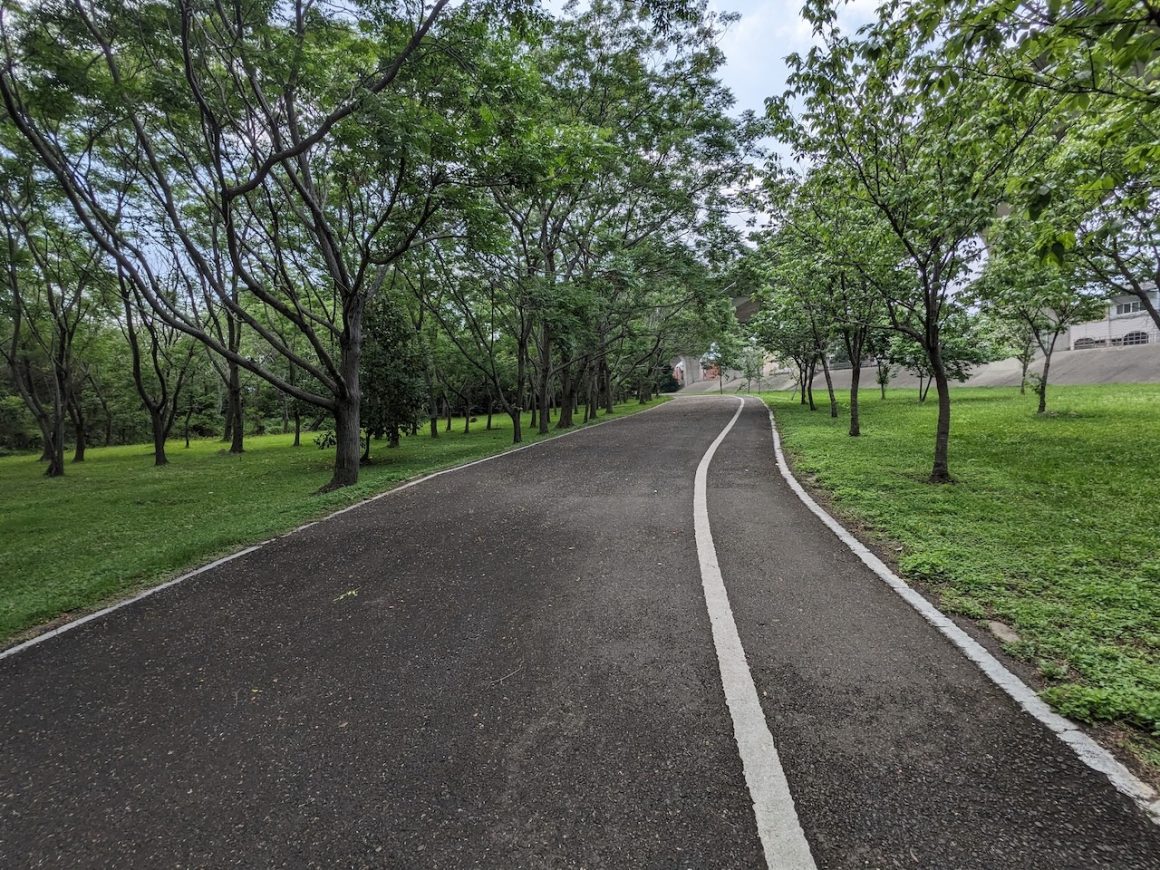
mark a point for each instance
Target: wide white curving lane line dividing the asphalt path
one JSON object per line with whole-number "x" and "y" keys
{"x": 782, "y": 839}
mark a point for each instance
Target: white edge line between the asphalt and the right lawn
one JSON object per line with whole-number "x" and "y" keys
{"x": 1087, "y": 750}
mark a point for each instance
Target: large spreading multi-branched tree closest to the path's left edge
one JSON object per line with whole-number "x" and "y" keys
{"x": 301, "y": 150}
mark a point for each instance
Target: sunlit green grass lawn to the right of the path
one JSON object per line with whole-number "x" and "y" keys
{"x": 1050, "y": 527}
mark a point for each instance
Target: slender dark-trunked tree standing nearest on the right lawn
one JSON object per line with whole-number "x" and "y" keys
{"x": 930, "y": 158}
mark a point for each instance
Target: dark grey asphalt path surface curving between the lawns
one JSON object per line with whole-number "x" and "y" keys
{"x": 511, "y": 666}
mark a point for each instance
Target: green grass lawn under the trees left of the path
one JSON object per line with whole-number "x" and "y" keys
{"x": 117, "y": 524}
